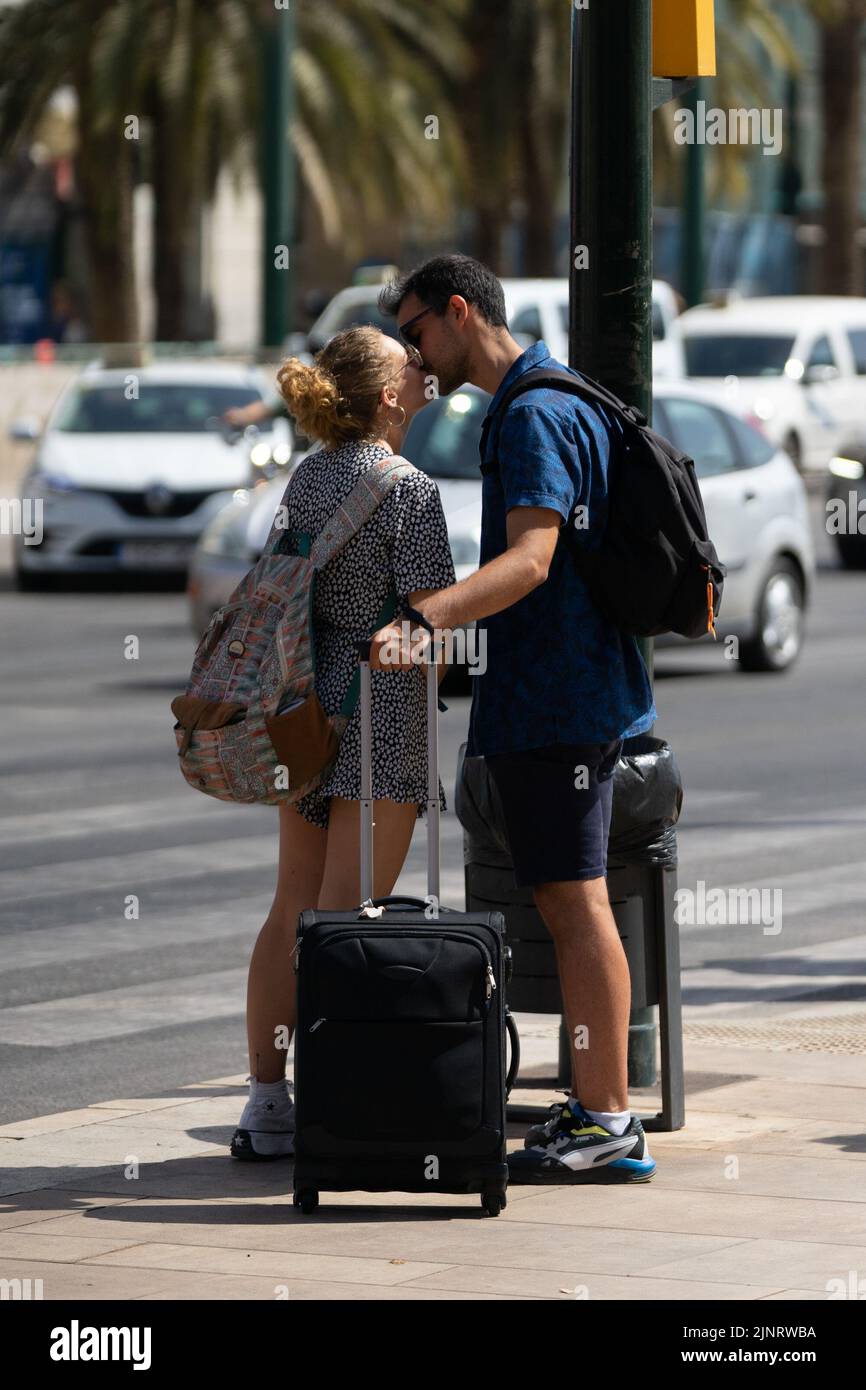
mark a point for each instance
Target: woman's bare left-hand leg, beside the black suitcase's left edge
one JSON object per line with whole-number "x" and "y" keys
{"x": 272, "y": 990}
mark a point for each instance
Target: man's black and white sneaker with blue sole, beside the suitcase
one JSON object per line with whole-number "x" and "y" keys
{"x": 573, "y": 1149}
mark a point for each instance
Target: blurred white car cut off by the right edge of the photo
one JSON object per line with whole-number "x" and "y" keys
{"x": 797, "y": 363}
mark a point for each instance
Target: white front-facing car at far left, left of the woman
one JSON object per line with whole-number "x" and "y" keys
{"x": 131, "y": 468}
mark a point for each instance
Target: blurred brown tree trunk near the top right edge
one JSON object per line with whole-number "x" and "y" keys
{"x": 842, "y": 262}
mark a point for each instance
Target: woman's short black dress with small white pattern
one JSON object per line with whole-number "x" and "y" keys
{"x": 404, "y": 546}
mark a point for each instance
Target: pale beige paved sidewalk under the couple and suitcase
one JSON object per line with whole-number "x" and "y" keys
{"x": 762, "y": 1196}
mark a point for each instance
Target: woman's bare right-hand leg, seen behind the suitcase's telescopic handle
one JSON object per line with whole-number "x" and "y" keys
{"x": 394, "y": 824}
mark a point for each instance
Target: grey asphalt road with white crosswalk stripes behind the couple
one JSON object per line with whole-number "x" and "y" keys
{"x": 97, "y": 1007}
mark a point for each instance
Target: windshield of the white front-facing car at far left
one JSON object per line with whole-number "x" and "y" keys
{"x": 159, "y": 408}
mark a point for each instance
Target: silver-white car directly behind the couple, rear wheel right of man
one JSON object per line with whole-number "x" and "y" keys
{"x": 755, "y": 505}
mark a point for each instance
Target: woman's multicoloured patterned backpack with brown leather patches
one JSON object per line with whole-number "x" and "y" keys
{"x": 250, "y": 726}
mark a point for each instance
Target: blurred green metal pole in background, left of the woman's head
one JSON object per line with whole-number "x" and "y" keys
{"x": 277, "y": 34}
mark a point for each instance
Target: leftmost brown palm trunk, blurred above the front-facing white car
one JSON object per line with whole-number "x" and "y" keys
{"x": 105, "y": 180}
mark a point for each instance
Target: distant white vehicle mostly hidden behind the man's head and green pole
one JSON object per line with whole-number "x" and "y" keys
{"x": 534, "y": 308}
